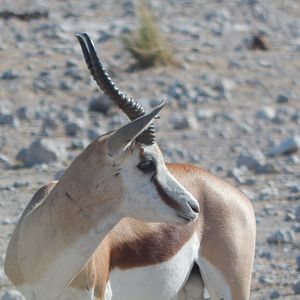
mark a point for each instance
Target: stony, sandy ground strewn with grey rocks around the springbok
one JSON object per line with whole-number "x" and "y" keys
{"x": 232, "y": 110}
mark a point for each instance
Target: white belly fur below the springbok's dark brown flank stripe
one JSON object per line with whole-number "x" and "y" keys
{"x": 161, "y": 281}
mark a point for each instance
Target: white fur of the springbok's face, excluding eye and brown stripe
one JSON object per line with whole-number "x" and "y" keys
{"x": 141, "y": 197}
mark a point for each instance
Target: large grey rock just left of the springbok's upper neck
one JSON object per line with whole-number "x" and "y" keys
{"x": 42, "y": 151}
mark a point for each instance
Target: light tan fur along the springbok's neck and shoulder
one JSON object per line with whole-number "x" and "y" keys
{"x": 69, "y": 211}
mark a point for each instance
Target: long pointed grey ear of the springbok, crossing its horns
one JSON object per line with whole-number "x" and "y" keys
{"x": 123, "y": 136}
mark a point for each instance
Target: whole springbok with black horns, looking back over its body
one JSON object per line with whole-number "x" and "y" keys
{"x": 122, "y": 224}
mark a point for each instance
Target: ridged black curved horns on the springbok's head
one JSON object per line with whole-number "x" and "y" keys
{"x": 129, "y": 106}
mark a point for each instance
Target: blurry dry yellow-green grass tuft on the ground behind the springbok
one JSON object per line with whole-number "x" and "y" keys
{"x": 147, "y": 44}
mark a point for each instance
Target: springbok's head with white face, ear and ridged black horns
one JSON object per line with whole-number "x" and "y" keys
{"x": 149, "y": 191}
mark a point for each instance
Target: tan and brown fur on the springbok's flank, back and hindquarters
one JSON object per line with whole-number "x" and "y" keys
{"x": 226, "y": 228}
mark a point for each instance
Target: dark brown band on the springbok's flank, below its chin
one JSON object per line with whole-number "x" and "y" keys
{"x": 139, "y": 246}
